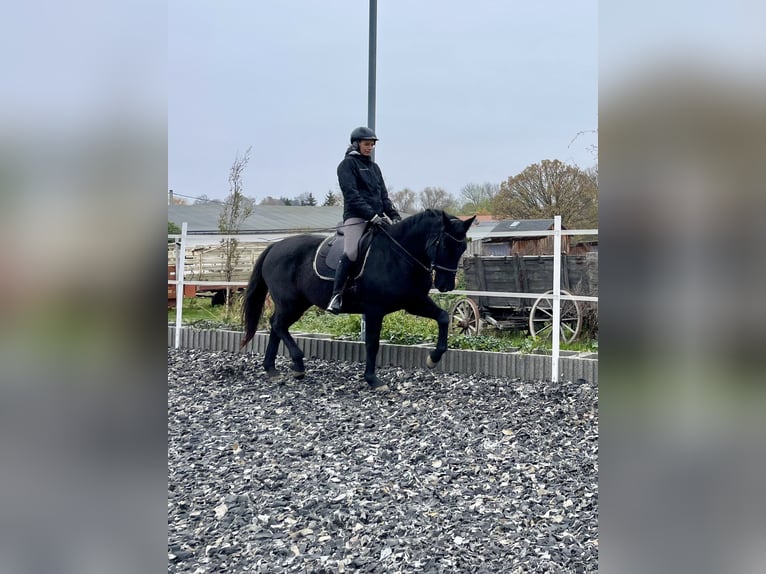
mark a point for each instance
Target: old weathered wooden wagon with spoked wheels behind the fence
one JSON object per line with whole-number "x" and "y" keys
{"x": 521, "y": 274}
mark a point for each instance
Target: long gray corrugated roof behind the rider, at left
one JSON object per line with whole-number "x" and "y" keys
{"x": 204, "y": 217}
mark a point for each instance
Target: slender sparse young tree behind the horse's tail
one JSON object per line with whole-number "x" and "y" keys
{"x": 234, "y": 211}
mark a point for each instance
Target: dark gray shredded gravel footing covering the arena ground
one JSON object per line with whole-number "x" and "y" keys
{"x": 442, "y": 473}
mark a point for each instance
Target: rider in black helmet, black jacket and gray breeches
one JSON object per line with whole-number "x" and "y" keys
{"x": 364, "y": 199}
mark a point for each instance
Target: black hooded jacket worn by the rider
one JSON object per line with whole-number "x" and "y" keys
{"x": 364, "y": 192}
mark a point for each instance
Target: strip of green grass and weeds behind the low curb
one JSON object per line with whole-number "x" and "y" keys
{"x": 399, "y": 328}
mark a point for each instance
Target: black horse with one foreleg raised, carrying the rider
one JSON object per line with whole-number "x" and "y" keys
{"x": 403, "y": 262}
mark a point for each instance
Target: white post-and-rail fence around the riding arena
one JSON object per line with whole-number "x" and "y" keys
{"x": 556, "y": 296}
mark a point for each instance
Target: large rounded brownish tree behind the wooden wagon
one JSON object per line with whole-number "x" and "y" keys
{"x": 550, "y": 188}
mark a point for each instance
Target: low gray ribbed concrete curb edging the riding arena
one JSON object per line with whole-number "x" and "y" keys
{"x": 492, "y": 364}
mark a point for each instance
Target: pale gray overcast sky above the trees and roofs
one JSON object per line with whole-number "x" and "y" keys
{"x": 467, "y": 92}
